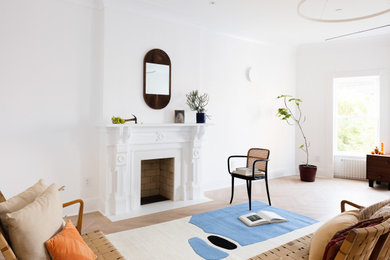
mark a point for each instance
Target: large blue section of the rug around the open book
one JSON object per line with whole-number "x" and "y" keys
{"x": 225, "y": 222}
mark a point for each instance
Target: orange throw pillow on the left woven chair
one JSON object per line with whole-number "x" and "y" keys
{"x": 68, "y": 244}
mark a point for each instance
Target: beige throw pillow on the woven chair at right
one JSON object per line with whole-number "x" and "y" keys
{"x": 325, "y": 233}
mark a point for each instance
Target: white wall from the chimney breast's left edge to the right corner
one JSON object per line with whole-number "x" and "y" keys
{"x": 243, "y": 114}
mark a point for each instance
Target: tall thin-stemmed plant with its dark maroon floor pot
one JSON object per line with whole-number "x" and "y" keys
{"x": 286, "y": 113}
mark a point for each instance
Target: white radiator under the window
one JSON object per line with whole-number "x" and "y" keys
{"x": 350, "y": 168}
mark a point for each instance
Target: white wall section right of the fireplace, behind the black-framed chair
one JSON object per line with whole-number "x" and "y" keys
{"x": 244, "y": 113}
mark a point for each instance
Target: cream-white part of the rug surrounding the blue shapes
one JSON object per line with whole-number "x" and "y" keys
{"x": 169, "y": 240}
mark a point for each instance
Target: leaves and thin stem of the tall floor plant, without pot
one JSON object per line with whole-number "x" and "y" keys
{"x": 285, "y": 113}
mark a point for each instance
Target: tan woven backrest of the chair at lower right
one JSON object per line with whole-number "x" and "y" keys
{"x": 366, "y": 243}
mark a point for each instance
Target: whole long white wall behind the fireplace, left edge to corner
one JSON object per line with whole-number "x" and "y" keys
{"x": 66, "y": 67}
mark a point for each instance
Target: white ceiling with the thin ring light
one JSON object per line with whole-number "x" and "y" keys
{"x": 274, "y": 20}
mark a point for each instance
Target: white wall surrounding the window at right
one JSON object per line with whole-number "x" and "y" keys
{"x": 317, "y": 64}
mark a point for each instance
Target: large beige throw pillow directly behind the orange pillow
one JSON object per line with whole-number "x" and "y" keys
{"x": 32, "y": 226}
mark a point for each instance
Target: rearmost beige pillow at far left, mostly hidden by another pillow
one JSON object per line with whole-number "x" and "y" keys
{"x": 20, "y": 201}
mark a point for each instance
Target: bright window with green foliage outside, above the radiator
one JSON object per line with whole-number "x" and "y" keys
{"x": 356, "y": 117}
